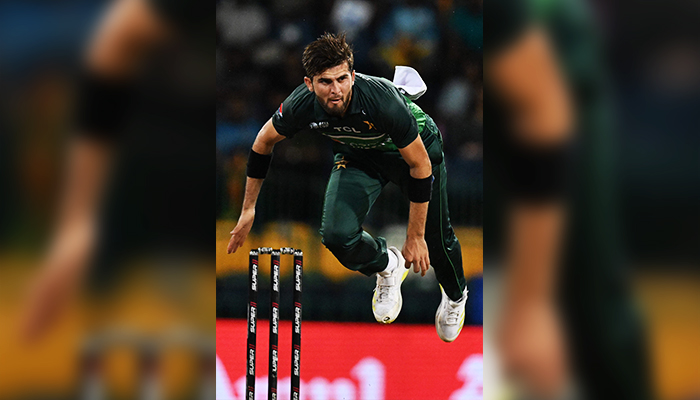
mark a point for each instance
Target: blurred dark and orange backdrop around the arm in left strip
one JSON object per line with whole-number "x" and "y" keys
{"x": 142, "y": 323}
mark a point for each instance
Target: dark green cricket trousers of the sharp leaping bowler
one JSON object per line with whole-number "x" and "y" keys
{"x": 356, "y": 181}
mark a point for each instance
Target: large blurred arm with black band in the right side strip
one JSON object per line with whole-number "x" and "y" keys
{"x": 532, "y": 342}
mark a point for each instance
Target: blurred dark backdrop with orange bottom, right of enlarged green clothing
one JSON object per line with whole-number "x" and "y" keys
{"x": 654, "y": 54}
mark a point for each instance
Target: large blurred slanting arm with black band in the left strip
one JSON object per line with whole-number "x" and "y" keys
{"x": 128, "y": 32}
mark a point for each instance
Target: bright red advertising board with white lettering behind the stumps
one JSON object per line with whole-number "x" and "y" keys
{"x": 353, "y": 361}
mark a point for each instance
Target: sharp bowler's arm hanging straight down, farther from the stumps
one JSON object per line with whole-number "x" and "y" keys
{"x": 415, "y": 249}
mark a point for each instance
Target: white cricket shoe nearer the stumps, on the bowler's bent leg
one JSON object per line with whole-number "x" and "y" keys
{"x": 387, "y": 301}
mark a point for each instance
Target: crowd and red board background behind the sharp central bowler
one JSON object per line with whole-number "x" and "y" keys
{"x": 258, "y": 56}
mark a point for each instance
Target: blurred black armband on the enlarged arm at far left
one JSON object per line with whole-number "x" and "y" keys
{"x": 102, "y": 105}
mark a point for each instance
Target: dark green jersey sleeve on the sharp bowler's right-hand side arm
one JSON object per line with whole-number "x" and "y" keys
{"x": 396, "y": 119}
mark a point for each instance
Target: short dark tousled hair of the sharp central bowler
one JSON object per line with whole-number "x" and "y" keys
{"x": 328, "y": 51}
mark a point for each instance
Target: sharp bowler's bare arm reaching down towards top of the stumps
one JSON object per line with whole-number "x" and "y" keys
{"x": 263, "y": 145}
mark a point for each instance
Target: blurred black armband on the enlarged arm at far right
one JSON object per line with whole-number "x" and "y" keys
{"x": 538, "y": 173}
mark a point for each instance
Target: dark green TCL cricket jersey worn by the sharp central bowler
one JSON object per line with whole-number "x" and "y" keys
{"x": 378, "y": 117}
